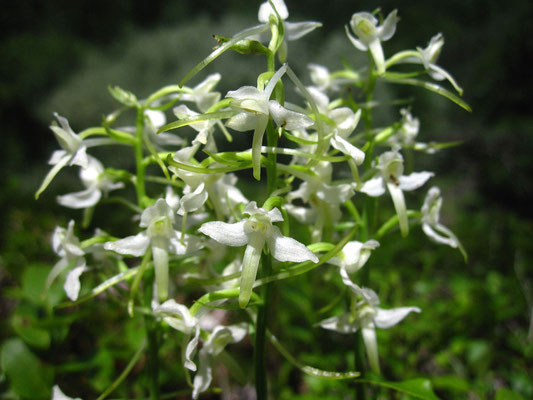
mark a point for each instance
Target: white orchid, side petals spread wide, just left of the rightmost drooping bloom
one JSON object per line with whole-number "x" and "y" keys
{"x": 390, "y": 177}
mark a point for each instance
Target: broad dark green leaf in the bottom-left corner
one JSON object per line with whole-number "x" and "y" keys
{"x": 28, "y": 377}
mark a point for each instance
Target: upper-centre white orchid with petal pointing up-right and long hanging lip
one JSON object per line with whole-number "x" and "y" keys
{"x": 255, "y": 108}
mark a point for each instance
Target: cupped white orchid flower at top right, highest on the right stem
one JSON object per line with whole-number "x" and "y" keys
{"x": 369, "y": 35}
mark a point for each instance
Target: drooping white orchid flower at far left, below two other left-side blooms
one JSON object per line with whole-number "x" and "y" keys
{"x": 68, "y": 247}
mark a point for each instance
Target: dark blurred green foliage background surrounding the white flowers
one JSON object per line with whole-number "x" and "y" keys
{"x": 474, "y": 337}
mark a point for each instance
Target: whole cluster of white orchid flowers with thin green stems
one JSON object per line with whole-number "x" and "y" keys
{"x": 312, "y": 163}
